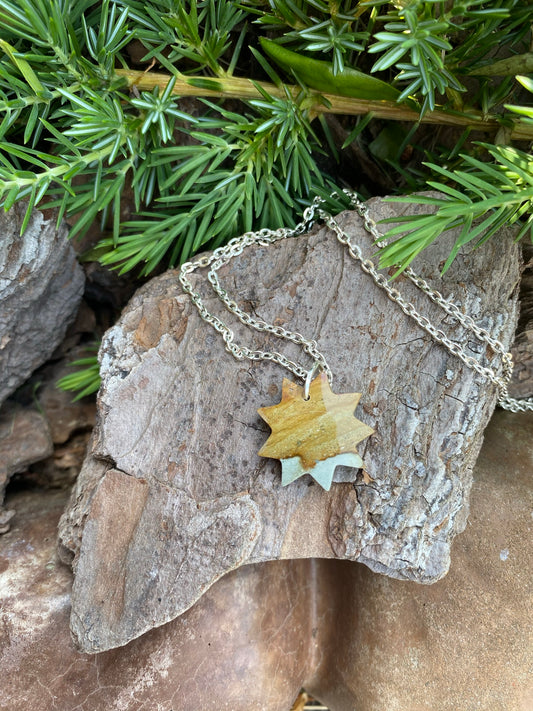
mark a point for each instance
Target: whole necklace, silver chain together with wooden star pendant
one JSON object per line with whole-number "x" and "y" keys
{"x": 313, "y": 429}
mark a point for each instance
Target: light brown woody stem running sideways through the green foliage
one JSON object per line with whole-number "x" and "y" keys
{"x": 240, "y": 88}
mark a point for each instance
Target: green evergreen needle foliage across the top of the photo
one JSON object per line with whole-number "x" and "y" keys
{"x": 79, "y": 127}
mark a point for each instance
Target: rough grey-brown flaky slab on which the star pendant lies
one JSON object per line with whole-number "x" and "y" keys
{"x": 181, "y": 496}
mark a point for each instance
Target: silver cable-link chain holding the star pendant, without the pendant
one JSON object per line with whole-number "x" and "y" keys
{"x": 221, "y": 256}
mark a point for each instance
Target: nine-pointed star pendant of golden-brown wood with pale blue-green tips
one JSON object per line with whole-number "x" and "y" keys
{"x": 313, "y": 436}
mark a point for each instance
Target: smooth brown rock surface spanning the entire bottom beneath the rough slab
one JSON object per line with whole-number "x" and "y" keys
{"x": 355, "y": 639}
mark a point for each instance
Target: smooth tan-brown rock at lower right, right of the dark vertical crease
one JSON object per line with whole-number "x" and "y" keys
{"x": 464, "y": 643}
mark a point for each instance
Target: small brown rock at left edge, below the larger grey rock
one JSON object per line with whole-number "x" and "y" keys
{"x": 24, "y": 439}
